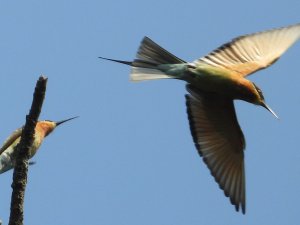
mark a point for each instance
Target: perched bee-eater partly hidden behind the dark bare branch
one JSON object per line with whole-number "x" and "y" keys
{"x": 7, "y": 151}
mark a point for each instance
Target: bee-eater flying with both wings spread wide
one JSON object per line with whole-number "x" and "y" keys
{"x": 214, "y": 81}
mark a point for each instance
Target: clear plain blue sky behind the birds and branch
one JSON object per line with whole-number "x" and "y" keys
{"x": 130, "y": 158}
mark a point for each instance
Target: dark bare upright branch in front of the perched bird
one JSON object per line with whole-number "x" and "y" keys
{"x": 21, "y": 167}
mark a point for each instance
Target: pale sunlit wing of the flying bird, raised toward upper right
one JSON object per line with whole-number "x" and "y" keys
{"x": 249, "y": 53}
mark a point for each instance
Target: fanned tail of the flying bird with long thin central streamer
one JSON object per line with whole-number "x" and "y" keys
{"x": 149, "y": 58}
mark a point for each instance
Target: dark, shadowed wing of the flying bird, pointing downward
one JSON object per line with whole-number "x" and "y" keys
{"x": 219, "y": 140}
